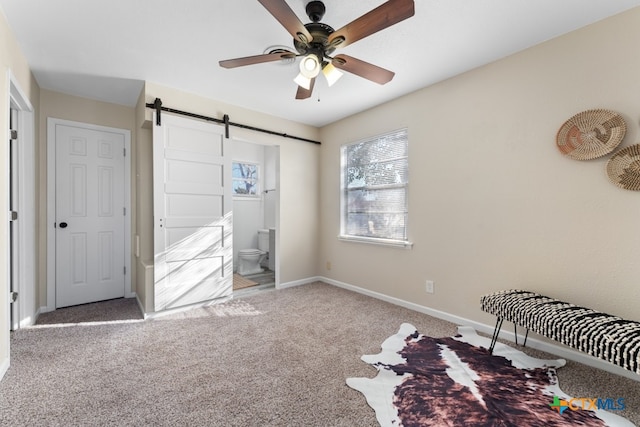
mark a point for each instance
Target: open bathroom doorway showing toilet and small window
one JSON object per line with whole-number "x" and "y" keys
{"x": 256, "y": 201}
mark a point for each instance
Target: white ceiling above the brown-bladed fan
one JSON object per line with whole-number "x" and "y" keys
{"x": 105, "y": 49}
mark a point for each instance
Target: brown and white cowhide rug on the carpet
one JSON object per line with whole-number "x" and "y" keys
{"x": 425, "y": 381}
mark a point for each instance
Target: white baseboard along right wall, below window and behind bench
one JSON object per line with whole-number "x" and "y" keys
{"x": 555, "y": 349}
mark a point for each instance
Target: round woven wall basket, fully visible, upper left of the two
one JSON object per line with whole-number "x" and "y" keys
{"x": 591, "y": 134}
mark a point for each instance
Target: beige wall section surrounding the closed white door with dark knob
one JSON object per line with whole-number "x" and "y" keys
{"x": 69, "y": 107}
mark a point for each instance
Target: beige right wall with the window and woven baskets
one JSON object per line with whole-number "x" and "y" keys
{"x": 492, "y": 203}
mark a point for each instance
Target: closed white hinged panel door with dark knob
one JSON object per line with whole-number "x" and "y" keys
{"x": 90, "y": 216}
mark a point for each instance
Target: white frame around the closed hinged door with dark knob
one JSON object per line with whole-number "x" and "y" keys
{"x": 51, "y": 204}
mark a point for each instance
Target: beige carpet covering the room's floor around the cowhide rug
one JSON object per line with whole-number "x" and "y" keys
{"x": 276, "y": 358}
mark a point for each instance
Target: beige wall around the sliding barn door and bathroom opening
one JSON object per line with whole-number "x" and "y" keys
{"x": 299, "y": 174}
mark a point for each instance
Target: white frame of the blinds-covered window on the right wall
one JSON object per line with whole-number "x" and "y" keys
{"x": 344, "y": 190}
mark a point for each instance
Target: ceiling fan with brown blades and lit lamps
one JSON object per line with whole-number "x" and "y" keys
{"x": 315, "y": 42}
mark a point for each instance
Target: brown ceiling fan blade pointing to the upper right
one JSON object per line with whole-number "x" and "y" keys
{"x": 385, "y": 15}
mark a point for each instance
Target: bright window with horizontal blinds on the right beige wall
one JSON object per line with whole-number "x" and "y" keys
{"x": 375, "y": 175}
